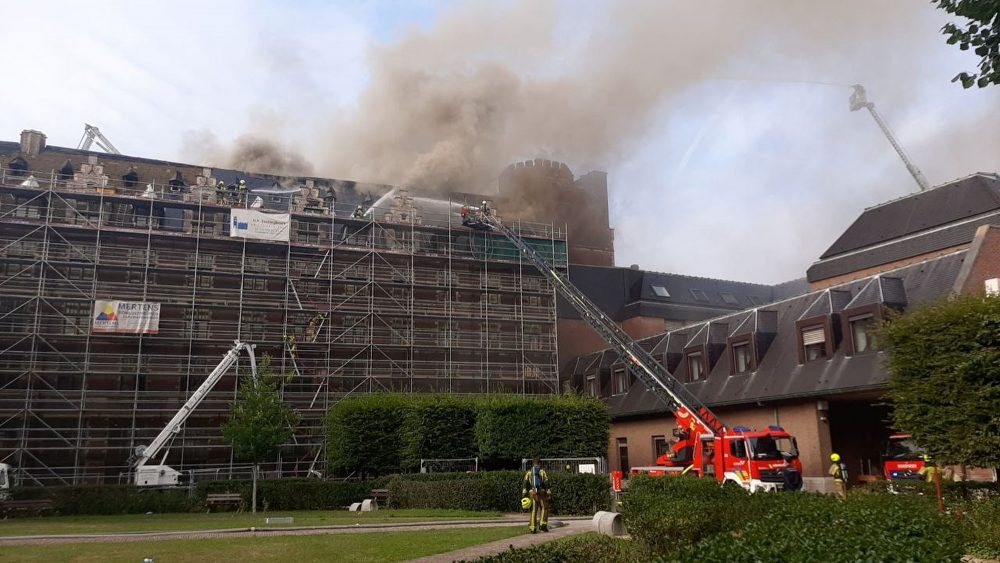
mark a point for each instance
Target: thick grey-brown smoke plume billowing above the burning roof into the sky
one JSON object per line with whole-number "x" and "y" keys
{"x": 448, "y": 107}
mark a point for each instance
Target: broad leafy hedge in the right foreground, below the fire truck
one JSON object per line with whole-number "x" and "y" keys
{"x": 687, "y": 519}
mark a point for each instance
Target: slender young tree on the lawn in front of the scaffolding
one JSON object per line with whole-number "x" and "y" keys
{"x": 259, "y": 423}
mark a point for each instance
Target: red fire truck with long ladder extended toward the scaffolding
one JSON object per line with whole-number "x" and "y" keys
{"x": 757, "y": 460}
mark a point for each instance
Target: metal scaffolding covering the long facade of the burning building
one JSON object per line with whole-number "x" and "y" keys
{"x": 402, "y": 300}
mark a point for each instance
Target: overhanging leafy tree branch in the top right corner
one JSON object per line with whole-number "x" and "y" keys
{"x": 981, "y": 33}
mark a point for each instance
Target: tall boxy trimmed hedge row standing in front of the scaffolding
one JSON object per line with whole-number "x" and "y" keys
{"x": 379, "y": 434}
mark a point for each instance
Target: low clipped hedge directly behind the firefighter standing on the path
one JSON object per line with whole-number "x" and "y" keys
{"x": 497, "y": 491}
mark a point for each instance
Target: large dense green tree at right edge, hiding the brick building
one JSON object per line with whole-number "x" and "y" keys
{"x": 944, "y": 365}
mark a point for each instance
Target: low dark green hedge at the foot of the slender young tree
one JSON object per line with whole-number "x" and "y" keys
{"x": 293, "y": 494}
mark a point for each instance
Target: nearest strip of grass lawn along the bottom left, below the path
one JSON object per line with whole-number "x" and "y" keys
{"x": 376, "y": 546}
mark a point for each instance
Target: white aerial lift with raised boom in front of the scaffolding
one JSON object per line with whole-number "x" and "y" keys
{"x": 161, "y": 475}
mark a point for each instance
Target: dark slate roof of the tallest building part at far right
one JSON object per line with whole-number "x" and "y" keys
{"x": 923, "y": 222}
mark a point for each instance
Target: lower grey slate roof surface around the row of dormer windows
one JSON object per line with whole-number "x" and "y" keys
{"x": 779, "y": 374}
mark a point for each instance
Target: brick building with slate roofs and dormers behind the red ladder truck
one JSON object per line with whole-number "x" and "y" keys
{"x": 810, "y": 362}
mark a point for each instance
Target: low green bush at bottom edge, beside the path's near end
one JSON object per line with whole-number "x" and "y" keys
{"x": 588, "y": 548}
